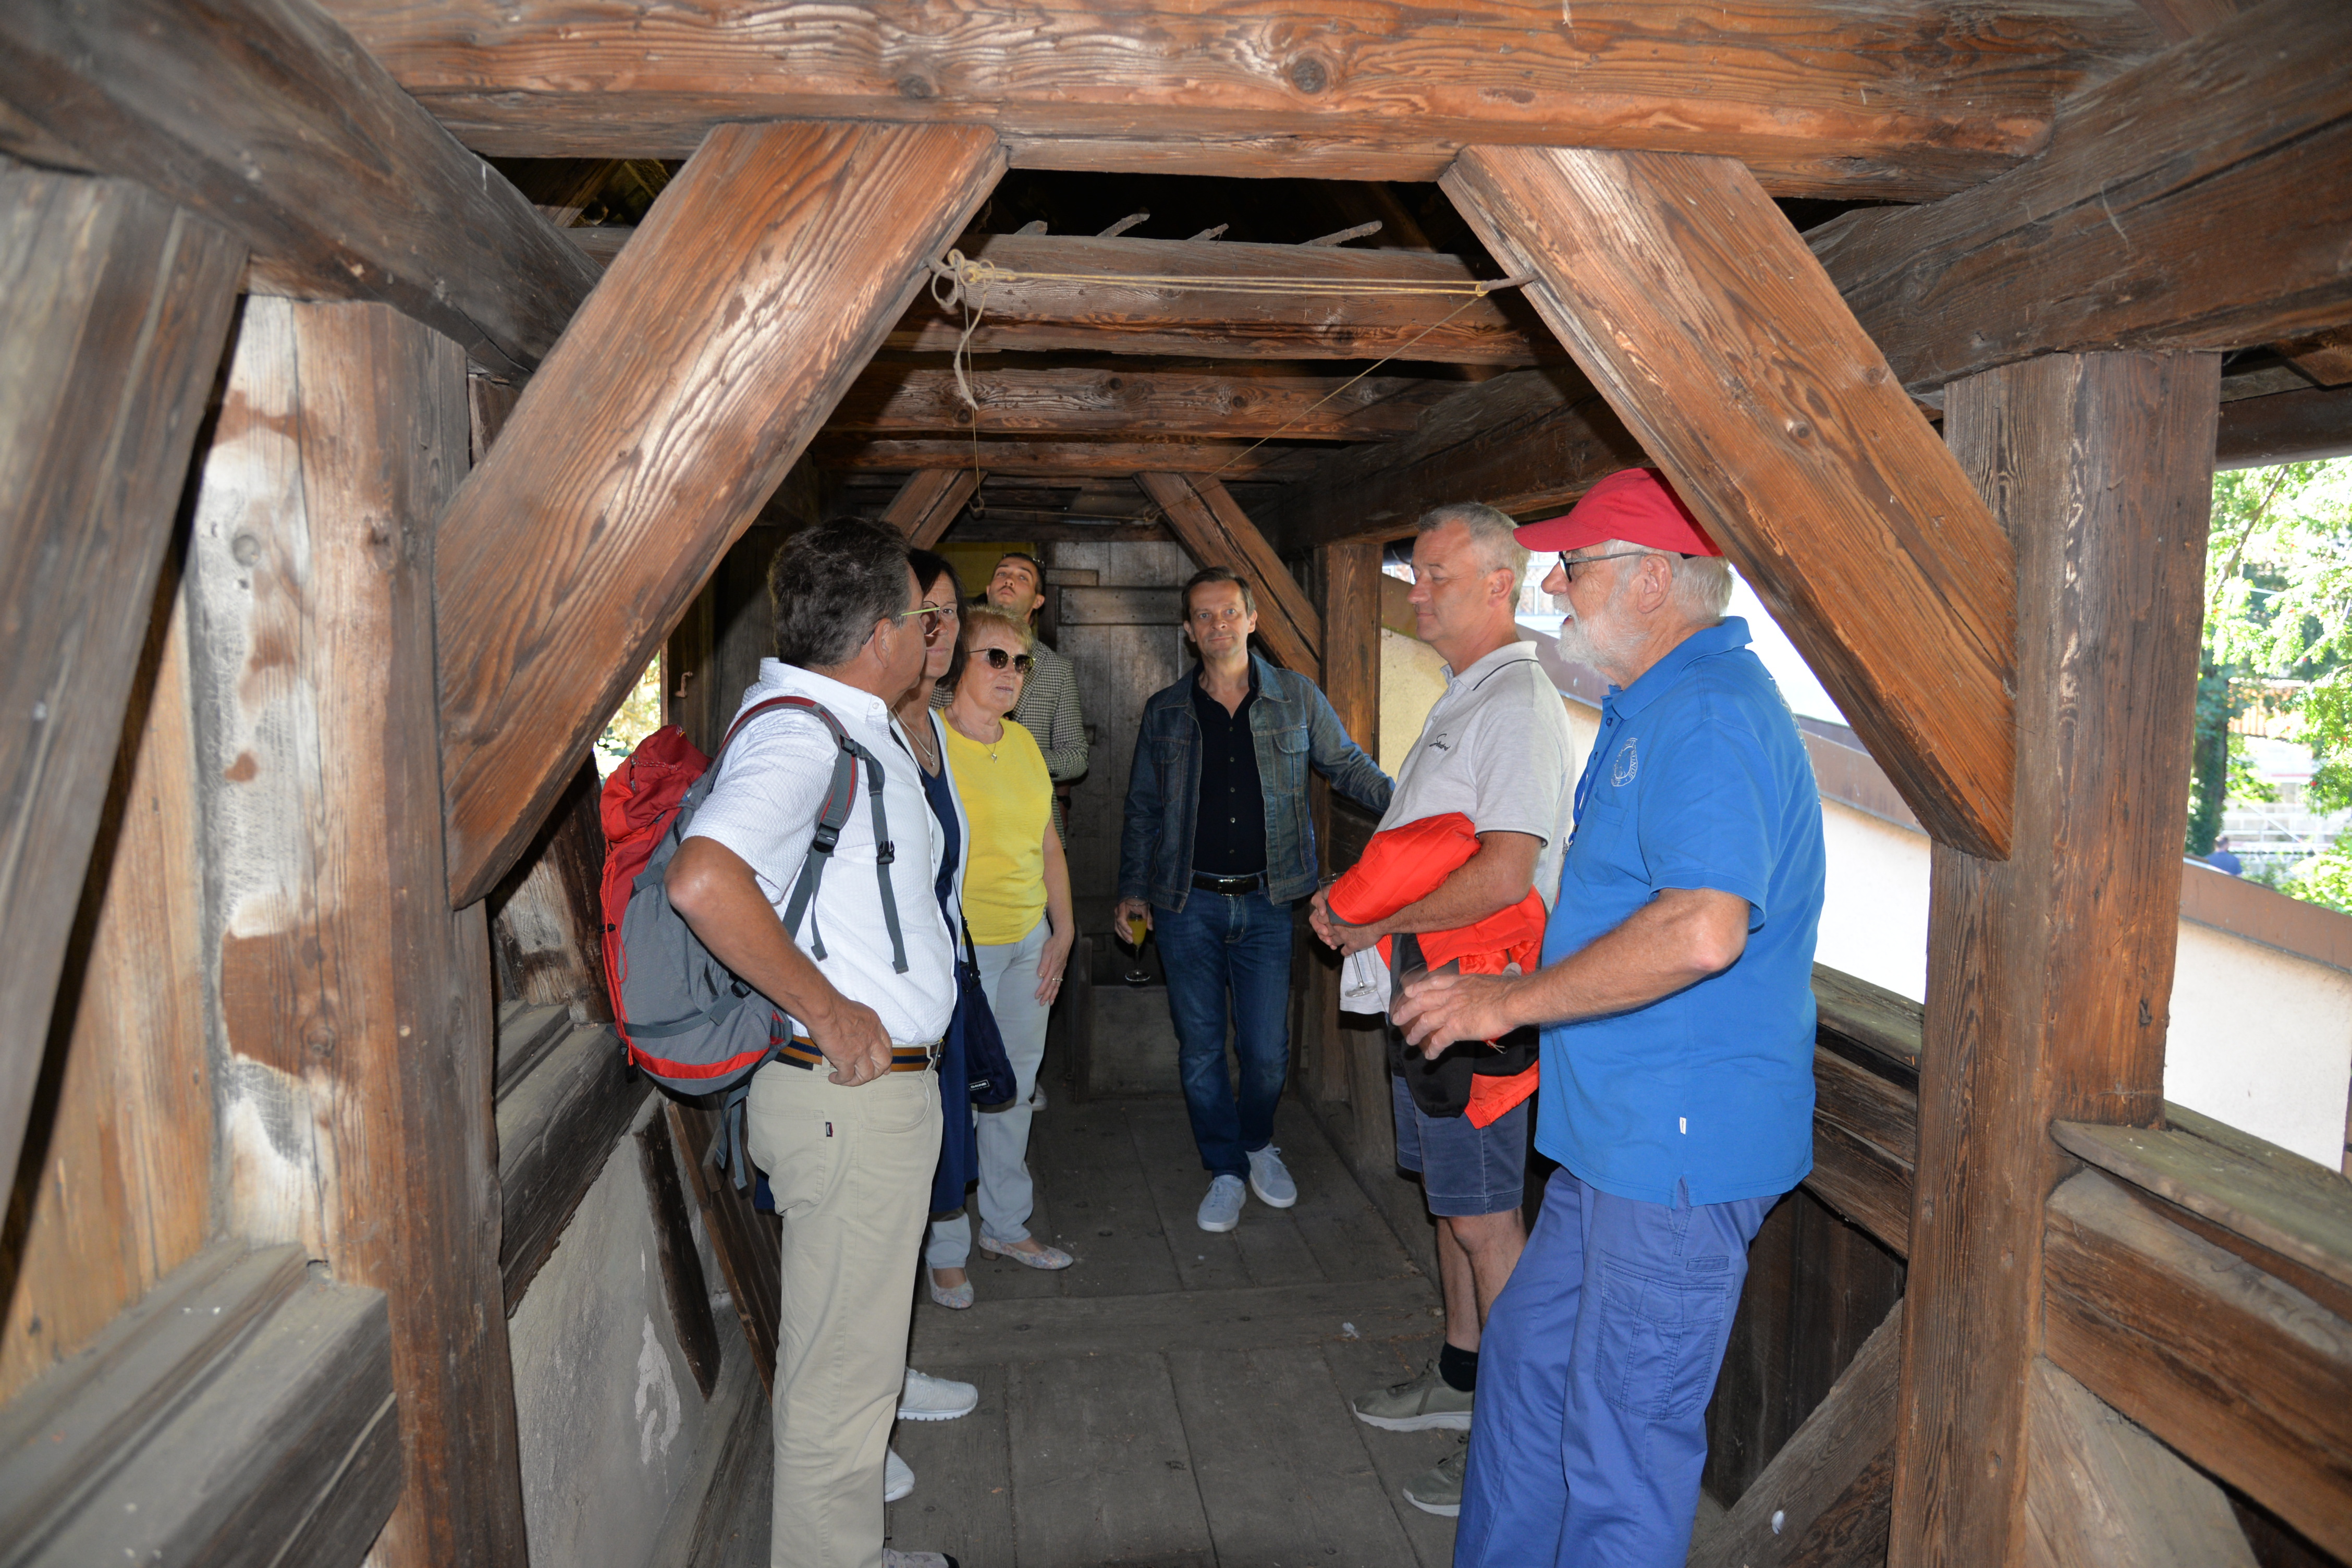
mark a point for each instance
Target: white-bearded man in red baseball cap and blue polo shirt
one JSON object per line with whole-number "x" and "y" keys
{"x": 1678, "y": 1052}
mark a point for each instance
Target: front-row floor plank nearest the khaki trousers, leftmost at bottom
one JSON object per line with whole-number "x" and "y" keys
{"x": 963, "y": 1499}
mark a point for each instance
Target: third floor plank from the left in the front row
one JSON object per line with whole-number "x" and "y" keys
{"x": 1283, "y": 1473}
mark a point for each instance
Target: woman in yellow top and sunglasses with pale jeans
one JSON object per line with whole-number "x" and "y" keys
{"x": 1017, "y": 902}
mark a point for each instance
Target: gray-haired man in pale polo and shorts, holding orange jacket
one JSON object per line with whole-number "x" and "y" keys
{"x": 1495, "y": 749}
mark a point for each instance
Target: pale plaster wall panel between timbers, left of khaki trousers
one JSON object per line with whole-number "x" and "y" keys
{"x": 608, "y": 1409}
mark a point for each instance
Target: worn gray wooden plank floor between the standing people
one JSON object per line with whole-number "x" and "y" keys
{"x": 1175, "y": 1400}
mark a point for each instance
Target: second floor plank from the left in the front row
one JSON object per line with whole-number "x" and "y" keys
{"x": 1102, "y": 1468}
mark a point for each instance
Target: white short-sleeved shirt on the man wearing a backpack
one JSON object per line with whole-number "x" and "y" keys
{"x": 766, "y": 805}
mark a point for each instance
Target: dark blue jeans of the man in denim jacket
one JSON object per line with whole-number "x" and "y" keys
{"x": 1217, "y": 949}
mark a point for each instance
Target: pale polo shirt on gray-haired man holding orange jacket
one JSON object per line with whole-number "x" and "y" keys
{"x": 1497, "y": 749}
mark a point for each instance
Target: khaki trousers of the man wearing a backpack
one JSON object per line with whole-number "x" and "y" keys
{"x": 853, "y": 1181}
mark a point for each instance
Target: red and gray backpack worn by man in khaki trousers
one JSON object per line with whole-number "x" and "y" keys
{"x": 688, "y": 1021}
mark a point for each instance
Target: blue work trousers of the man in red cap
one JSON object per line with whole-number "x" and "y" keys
{"x": 1593, "y": 1381}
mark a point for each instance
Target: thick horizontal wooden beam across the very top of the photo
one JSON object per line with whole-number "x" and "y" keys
{"x": 1819, "y": 98}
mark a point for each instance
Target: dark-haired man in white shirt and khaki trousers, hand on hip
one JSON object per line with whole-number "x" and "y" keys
{"x": 848, "y": 1123}
